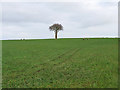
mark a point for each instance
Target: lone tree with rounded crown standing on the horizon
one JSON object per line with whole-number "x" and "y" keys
{"x": 56, "y": 28}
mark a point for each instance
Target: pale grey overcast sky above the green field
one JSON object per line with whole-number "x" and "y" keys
{"x": 31, "y": 19}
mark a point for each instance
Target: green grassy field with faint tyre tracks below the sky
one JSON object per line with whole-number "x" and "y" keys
{"x": 62, "y": 63}
